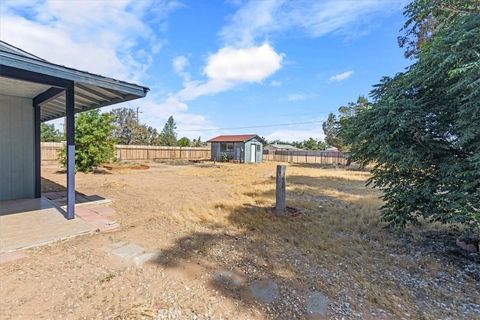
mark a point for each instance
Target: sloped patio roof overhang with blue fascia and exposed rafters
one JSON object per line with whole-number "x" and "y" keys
{"x": 91, "y": 90}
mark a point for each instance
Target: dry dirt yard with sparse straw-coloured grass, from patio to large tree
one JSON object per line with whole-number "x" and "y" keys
{"x": 206, "y": 219}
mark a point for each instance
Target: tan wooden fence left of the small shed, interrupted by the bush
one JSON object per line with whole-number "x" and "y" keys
{"x": 50, "y": 151}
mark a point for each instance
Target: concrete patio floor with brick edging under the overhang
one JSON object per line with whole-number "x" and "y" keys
{"x": 28, "y": 223}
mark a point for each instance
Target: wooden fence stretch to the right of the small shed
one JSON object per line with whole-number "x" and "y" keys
{"x": 307, "y": 156}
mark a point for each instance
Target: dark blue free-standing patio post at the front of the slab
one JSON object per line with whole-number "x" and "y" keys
{"x": 70, "y": 121}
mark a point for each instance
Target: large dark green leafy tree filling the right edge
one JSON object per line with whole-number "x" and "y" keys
{"x": 422, "y": 131}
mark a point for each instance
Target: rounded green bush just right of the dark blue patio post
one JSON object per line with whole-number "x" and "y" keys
{"x": 94, "y": 143}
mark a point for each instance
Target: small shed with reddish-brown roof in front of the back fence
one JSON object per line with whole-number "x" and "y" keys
{"x": 245, "y": 148}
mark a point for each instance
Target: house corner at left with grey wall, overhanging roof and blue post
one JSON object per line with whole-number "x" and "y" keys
{"x": 33, "y": 90}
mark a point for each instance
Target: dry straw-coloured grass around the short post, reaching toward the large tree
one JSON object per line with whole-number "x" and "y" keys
{"x": 340, "y": 231}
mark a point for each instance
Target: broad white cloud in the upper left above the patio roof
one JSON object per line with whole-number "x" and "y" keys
{"x": 104, "y": 37}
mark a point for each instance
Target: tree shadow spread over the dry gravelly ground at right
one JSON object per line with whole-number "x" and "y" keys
{"x": 344, "y": 253}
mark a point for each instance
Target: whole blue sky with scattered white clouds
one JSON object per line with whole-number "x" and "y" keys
{"x": 221, "y": 64}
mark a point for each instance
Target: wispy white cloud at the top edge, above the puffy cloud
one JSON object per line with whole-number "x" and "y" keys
{"x": 256, "y": 20}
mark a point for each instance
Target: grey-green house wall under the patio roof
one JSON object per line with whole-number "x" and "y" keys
{"x": 17, "y": 171}
